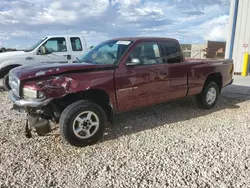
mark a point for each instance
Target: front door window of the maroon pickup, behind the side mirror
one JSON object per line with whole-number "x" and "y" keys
{"x": 147, "y": 53}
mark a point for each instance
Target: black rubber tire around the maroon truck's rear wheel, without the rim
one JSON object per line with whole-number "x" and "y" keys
{"x": 202, "y": 97}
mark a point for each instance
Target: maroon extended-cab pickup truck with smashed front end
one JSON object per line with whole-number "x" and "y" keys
{"x": 115, "y": 76}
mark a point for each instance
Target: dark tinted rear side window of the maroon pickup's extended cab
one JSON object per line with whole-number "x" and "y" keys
{"x": 172, "y": 52}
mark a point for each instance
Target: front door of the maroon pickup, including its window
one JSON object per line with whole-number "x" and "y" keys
{"x": 142, "y": 84}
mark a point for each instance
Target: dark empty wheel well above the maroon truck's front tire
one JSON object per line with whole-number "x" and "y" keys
{"x": 99, "y": 97}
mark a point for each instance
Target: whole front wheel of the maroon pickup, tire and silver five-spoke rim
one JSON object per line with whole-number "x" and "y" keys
{"x": 82, "y": 123}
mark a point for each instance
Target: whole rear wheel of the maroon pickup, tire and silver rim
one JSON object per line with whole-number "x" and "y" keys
{"x": 209, "y": 95}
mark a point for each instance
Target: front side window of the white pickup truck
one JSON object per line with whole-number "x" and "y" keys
{"x": 55, "y": 45}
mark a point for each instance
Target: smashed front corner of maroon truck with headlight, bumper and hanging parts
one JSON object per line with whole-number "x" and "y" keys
{"x": 37, "y": 99}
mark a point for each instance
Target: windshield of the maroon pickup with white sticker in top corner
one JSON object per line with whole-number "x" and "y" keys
{"x": 108, "y": 52}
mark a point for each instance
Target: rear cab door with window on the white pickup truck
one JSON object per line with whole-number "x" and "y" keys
{"x": 77, "y": 48}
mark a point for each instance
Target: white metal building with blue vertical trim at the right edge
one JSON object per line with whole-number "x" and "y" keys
{"x": 238, "y": 41}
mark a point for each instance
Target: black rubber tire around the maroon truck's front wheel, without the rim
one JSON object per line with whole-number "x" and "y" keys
{"x": 66, "y": 123}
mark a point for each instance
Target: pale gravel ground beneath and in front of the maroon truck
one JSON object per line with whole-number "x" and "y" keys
{"x": 167, "y": 145}
